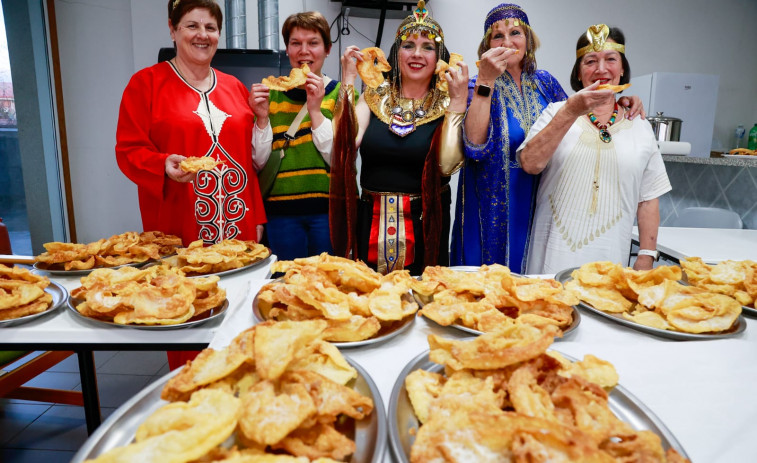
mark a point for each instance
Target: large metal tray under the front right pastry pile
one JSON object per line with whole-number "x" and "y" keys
{"x": 402, "y": 418}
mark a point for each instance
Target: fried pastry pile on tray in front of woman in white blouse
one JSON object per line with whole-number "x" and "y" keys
{"x": 654, "y": 298}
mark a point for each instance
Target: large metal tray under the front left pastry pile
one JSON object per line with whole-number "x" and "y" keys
{"x": 121, "y": 427}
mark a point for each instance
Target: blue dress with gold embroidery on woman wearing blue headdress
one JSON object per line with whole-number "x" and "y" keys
{"x": 495, "y": 199}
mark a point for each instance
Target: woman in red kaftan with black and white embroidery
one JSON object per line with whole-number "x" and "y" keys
{"x": 182, "y": 108}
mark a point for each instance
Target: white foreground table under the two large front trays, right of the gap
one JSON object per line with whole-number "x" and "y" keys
{"x": 702, "y": 390}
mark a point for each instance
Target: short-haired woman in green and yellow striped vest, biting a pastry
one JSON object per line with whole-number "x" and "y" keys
{"x": 297, "y": 205}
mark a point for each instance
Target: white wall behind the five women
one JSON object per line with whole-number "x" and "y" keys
{"x": 102, "y": 42}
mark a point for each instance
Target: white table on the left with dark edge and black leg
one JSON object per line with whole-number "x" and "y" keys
{"x": 68, "y": 332}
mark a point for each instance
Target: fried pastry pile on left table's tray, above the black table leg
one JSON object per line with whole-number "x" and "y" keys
{"x": 157, "y": 295}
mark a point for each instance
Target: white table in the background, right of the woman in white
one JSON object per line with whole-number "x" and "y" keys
{"x": 713, "y": 245}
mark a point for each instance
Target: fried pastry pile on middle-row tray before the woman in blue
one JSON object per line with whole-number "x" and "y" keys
{"x": 492, "y": 298}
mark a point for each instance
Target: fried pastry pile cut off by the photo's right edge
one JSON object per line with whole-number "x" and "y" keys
{"x": 737, "y": 279}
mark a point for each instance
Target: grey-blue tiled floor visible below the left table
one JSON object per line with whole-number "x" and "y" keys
{"x": 34, "y": 431}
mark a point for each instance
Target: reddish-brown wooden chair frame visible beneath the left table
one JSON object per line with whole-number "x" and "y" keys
{"x": 12, "y": 381}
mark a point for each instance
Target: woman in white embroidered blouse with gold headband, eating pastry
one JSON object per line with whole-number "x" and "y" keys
{"x": 599, "y": 169}
